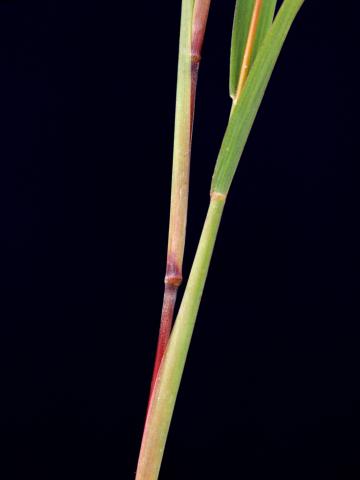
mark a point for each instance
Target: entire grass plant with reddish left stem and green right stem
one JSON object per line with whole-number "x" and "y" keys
{"x": 257, "y": 39}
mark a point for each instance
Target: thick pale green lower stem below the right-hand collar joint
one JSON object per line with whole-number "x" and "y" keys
{"x": 171, "y": 369}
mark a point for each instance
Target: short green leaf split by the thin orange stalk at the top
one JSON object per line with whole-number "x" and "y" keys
{"x": 242, "y": 20}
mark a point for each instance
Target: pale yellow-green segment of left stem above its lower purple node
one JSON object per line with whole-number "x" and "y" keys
{"x": 182, "y": 140}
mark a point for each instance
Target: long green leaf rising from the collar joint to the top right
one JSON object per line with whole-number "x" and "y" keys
{"x": 245, "y": 111}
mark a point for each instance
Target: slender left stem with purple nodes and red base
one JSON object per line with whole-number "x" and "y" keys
{"x": 191, "y": 41}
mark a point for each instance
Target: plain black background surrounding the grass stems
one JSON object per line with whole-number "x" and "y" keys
{"x": 271, "y": 386}
